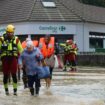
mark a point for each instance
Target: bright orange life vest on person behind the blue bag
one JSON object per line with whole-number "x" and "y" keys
{"x": 47, "y": 50}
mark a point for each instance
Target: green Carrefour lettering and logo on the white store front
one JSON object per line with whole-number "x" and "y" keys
{"x": 53, "y": 29}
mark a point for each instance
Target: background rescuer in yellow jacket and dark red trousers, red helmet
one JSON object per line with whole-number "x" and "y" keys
{"x": 70, "y": 51}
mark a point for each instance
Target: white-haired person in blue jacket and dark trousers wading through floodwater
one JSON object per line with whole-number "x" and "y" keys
{"x": 31, "y": 58}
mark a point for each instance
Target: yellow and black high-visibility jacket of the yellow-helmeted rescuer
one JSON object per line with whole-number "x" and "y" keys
{"x": 10, "y": 47}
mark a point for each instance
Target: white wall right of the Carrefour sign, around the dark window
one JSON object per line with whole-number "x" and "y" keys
{"x": 82, "y": 37}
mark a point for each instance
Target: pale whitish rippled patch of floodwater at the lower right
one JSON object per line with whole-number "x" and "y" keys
{"x": 81, "y": 91}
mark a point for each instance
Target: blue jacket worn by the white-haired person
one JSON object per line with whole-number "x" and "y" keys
{"x": 31, "y": 60}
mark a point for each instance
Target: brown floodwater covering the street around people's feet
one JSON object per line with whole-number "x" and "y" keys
{"x": 87, "y": 87}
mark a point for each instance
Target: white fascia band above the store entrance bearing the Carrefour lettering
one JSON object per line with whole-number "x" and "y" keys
{"x": 42, "y": 28}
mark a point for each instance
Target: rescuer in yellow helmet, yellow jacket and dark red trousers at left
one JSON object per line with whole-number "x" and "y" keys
{"x": 10, "y": 46}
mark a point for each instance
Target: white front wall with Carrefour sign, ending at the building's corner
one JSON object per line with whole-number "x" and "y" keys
{"x": 27, "y": 28}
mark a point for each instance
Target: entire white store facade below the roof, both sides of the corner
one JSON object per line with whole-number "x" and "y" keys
{"x": 79, "y": 30}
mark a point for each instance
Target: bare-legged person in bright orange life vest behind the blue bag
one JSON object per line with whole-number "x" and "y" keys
{"x": 46, "y": 45}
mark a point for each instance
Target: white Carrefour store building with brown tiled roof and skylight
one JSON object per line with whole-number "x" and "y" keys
{"x": 63, "y": 19}
